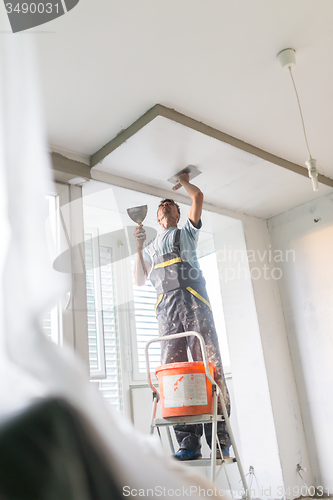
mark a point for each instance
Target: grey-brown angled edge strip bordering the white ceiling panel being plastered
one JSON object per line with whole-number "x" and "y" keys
{"x": 171, "y": 114}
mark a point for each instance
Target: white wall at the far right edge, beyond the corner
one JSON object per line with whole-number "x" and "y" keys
{"x": 307, "y": 291}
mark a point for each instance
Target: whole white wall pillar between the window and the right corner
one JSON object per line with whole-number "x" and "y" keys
{"x": 269, "y": 415}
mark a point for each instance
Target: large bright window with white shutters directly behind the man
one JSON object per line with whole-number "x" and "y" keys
{"x": 125, "y": 323}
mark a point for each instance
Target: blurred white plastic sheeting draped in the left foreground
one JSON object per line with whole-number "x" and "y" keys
{"x": 31, "y": 366}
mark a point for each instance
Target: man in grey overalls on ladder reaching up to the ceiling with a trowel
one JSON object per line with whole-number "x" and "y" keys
{"x": 182, "y": 304}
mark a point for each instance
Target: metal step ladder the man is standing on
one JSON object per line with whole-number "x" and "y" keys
{"x": 197, "y": 419}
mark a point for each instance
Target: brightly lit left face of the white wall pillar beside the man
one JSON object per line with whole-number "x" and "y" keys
{"x": 258, "y": 445}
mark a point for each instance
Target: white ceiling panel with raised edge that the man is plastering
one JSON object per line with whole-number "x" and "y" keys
{"x": 232, "y": 178}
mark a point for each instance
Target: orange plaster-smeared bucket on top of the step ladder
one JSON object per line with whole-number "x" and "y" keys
{"x": 184, "y": 389}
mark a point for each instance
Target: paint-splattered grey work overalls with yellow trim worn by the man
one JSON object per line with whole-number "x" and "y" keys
{"x": 183, "y": 305}
